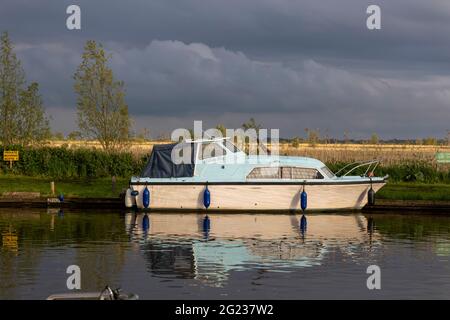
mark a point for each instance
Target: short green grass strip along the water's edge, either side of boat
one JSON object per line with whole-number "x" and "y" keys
{"x": 102, "y": 188}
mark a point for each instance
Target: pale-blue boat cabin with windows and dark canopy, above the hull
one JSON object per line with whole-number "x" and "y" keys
{"x": 220, "y": 160}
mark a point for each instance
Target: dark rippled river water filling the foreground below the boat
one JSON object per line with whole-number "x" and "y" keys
{"x": 253, "y": 256}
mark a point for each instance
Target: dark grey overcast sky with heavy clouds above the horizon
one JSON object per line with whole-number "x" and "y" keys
{"x": 290, "y": 64}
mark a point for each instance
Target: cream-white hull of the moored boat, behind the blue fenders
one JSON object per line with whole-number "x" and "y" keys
{"x": 256, "y": 197}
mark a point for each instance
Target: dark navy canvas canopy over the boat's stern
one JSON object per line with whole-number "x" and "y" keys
{"x": 160, "y": 164}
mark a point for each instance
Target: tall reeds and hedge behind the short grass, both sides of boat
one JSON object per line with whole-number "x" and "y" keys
{"x": 91, "y": 163}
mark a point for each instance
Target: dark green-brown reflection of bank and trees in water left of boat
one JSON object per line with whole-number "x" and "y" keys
{"x": 36, "y": 231}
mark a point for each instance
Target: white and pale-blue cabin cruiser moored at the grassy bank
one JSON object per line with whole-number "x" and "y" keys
{"x": 228, "y": 179}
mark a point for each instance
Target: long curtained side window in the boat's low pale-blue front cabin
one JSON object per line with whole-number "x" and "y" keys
{"x": 284, "y": 173}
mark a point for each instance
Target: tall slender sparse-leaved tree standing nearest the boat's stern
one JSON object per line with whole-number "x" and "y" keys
{"x": 102, "y": 111}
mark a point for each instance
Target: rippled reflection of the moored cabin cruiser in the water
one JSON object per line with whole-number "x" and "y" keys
{"x": 209, "y": 247}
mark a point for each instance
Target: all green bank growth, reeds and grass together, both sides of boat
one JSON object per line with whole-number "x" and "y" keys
{"x": 87, "y": 172}
